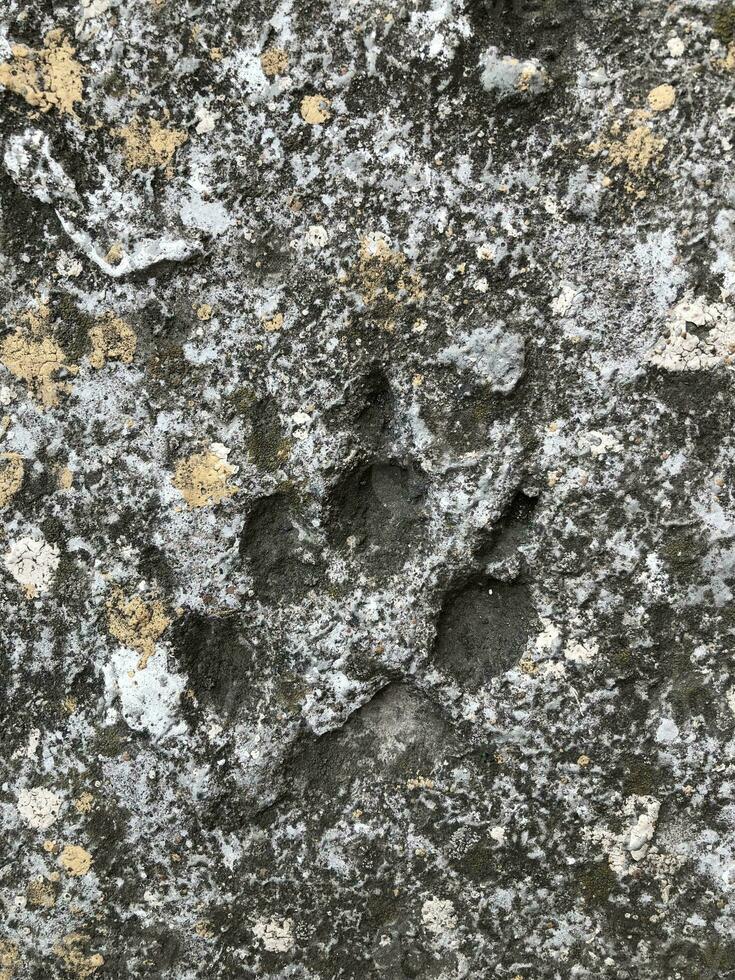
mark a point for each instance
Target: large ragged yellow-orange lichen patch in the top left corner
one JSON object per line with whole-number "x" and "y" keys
{"x": 50, "y": 78}
